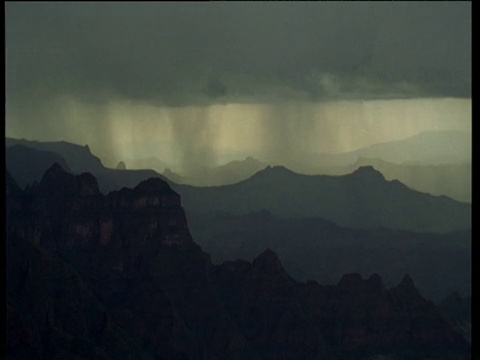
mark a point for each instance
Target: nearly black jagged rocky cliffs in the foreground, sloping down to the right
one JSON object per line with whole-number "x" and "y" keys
{"x": 119, "y": 276}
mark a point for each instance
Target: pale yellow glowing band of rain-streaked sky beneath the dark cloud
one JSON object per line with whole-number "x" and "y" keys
{"x": 212, "y": 135}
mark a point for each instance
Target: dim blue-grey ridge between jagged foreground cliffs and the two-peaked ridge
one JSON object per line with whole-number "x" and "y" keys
{"x": 313, "y": 248}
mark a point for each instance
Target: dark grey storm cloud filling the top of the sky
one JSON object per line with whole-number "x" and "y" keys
{"x": 190, "y": 53}
